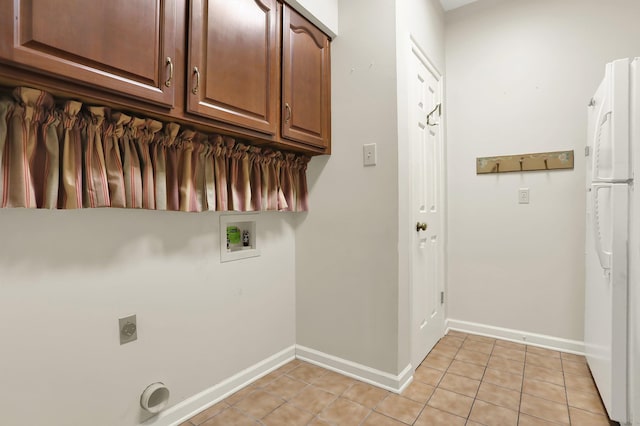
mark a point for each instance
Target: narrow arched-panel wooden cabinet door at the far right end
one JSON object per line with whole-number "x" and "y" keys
{"x": 305, "y": 82}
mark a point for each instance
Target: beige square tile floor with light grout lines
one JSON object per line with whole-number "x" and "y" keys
{"x": 465, "y": 380}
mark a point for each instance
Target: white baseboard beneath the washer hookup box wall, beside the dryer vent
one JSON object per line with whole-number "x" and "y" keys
{"x": 193, "y": 405}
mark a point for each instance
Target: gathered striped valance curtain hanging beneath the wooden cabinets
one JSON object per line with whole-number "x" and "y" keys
{"x": 67, "y": 155}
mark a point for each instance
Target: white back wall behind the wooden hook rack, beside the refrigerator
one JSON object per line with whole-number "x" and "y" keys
{"x": 519, "y": 76}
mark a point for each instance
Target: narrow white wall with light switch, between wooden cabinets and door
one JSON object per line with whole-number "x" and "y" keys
{"x": 346, "y": 246}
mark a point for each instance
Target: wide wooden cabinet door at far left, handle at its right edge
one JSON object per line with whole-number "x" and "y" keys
{"x": 118, "y": 45}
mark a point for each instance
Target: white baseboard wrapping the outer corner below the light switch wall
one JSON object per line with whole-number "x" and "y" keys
{"x": 381, "y": 379}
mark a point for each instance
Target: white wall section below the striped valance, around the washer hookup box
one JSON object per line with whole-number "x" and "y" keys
{"x": 67, "y": 276}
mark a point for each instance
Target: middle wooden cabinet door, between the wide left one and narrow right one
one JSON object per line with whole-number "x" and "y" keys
{"x": 233, "y": 62}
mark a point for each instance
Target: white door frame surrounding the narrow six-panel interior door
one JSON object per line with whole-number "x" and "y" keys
{"x": 418, "y": 53}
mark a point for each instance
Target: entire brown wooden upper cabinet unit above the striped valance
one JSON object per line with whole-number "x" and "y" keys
{"x": 252, "y": 68}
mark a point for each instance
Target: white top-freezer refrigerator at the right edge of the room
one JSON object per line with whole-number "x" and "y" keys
{"x": 612, "y": 257}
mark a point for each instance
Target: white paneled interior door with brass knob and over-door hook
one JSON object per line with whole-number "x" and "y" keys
{"x": 427, "y": 196}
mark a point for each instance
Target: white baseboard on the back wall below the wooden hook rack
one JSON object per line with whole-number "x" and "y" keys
{"x": 540, "y": 340}
